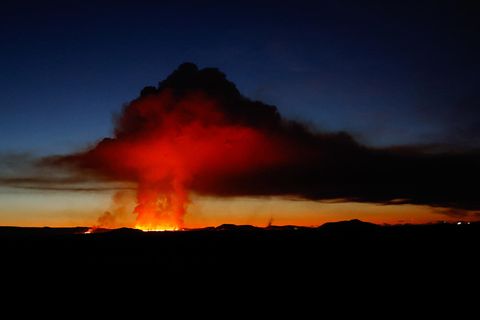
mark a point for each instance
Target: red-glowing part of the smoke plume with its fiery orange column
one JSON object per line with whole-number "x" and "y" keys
{"x": 166, "y": 144}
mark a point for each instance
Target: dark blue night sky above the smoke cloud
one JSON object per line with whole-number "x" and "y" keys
{"x": 389, "y": 74}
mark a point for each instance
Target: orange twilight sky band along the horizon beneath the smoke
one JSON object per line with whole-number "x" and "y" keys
{"x": 72, "y": 209}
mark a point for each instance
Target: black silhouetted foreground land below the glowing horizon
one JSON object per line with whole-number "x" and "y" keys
{"x": 352, "y": 264}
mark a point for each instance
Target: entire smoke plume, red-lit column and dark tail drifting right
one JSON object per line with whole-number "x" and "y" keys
{"x": 196, "y": 133}
